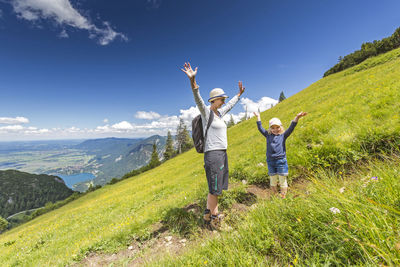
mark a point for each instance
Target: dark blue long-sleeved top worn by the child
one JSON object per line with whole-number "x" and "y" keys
{"x": 276, "y": 147}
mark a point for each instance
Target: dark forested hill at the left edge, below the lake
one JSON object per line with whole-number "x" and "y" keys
{"x": 21, "y": 191}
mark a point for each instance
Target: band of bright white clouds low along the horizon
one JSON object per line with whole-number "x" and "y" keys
{"x": 159, "y": 124}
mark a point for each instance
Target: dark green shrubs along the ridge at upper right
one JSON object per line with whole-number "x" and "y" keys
{"x": 367, "y": 50}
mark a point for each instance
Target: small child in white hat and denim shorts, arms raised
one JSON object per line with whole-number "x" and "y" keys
{"x": 276, "y": 150}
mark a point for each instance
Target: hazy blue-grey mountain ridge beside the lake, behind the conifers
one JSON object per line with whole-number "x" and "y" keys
{"x": 116, "y": 156}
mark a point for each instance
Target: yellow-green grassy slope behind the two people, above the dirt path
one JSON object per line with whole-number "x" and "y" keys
{"x": 350, "y": 113}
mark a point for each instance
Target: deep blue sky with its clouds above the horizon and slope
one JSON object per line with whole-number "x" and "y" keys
{"x": 98, "y": 68}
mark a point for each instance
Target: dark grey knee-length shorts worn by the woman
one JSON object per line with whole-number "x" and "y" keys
{"x": 217, "y": 172}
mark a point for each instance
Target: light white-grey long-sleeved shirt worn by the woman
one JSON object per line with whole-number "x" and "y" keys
{"x": 217, "y": 133}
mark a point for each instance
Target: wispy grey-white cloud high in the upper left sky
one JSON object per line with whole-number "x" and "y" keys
{"x": 64, "y": 14}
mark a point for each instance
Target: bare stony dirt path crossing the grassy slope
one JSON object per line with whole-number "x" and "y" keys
{"x": 162, "y": 241}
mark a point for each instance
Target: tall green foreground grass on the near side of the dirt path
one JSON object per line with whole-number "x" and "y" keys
{"x": 304, "y": 231}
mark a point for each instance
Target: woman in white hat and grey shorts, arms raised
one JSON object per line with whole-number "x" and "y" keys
{"x": 215, "y": 157}
